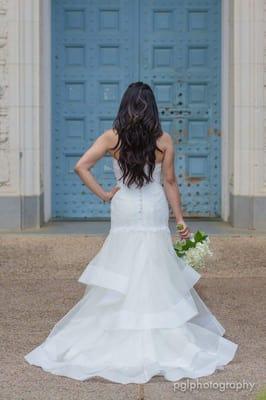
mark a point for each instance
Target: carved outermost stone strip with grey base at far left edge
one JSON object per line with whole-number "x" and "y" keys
{"x": 9, "y": 140}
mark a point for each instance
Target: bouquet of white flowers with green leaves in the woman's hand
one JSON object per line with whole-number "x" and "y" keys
{"x": 193, "y": 250}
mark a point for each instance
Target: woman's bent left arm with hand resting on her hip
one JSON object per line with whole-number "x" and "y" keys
{"x": 97, "y": 150}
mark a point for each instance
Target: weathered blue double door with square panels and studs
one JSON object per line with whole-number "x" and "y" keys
{"x": 99, "y": 47}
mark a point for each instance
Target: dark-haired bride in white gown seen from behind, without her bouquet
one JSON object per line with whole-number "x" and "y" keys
{"x": 140, "y": 315}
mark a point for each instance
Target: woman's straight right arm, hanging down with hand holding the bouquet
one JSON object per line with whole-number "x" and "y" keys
{"x": 170, "y": 184}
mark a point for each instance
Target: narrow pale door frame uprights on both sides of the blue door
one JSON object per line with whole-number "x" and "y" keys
{"x": 46, "y": 119}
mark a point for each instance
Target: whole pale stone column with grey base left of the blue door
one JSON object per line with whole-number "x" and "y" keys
{"x": 21, "y": 146}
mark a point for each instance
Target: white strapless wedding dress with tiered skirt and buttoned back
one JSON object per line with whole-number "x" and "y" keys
{"x": 139, "y": 315}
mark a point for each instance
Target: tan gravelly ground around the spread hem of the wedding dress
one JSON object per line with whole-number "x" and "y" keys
{"x": 39, "y": 285}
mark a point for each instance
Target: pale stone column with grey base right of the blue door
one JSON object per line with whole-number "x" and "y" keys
{"x": 247, "y": 140}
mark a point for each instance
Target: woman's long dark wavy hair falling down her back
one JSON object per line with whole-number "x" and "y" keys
{"x": 138, "y": 127}
